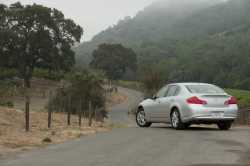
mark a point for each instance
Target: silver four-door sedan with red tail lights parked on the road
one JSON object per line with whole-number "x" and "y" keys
{"x": 184, "y": 104}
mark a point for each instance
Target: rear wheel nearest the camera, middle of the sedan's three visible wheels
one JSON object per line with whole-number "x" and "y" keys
{"x": 176, "y": 121}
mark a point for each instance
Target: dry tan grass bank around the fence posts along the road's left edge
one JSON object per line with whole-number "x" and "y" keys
{"x": 13, "y": 138}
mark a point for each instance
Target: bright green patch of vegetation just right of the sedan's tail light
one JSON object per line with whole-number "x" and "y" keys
{"x": 242, "y": 96}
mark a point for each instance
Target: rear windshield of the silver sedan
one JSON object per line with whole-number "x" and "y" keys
{"x": 208, "y": 89}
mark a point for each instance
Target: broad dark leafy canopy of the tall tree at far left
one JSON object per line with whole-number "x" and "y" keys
{"x": 36, "y": 36}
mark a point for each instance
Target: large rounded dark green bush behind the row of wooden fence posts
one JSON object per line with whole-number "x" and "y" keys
{"x": 81, "y": 88}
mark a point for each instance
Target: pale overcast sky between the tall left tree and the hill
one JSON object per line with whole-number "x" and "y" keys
{"x": 93, "y": 15}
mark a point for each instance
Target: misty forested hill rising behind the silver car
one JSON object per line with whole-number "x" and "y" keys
{"x": 185, "y": 30}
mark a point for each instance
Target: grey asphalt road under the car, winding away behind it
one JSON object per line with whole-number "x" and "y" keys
{"x": 156, "y": 146}
